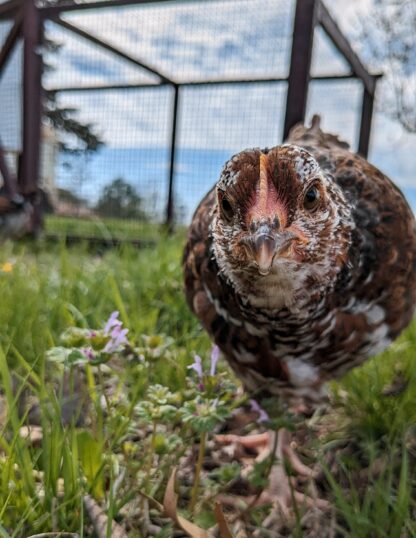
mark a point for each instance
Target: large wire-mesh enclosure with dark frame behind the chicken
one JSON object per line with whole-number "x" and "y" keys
{"x": 166, "y": 91}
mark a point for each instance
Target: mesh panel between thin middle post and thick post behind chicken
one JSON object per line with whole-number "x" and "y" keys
{"x": 229, "y": 119}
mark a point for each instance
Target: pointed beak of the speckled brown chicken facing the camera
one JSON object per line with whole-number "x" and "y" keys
{"x": 265, "y": 245}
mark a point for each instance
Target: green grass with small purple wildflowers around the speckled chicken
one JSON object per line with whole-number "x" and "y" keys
{"x": 94, "y": 420}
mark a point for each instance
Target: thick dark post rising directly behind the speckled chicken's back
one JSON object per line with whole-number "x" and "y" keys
{"x": 297, "y": 91}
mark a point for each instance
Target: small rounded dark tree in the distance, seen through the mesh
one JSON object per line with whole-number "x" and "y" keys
{"x": 120, "y": 199}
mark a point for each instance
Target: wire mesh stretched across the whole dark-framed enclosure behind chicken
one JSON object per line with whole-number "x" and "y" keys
{"x": 119, "y": 86}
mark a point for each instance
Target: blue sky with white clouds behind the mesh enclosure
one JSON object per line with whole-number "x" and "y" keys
{"x": 196, "y": 41}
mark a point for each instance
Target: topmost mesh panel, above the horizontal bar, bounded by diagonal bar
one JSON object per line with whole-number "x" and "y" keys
{"x": 199, "y": 40}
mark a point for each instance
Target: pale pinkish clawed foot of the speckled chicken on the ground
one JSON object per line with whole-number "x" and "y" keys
{"x": 282, "y": 491}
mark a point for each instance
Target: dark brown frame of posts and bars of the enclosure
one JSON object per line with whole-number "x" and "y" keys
{"x": 29, "y": 21}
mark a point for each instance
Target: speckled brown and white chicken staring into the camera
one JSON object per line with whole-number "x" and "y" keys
{"x": 300, "y": 263}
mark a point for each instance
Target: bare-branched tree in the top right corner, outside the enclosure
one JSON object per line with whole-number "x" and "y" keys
{"x": 388, "y": 42}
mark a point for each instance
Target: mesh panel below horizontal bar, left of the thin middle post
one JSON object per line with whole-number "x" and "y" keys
{"x": 134, "y": 126}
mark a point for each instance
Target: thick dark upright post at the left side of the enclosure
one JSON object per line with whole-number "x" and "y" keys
{"x": 32, "y": 98}
